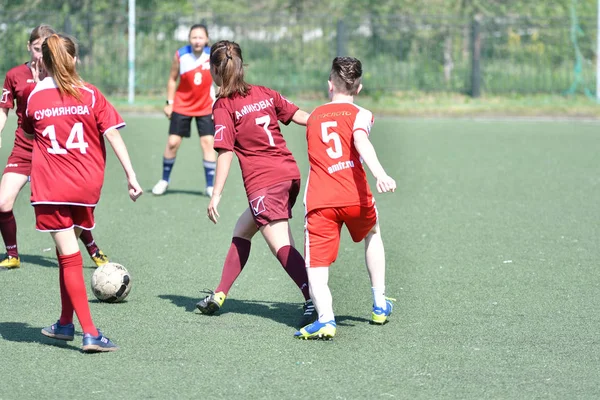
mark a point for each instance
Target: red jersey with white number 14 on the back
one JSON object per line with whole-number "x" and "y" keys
{"x": 69, "y": 154}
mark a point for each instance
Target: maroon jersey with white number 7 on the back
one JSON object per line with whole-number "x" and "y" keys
{"x": 249, "y": 126}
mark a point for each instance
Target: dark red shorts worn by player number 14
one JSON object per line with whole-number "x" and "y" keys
{"x": 61, "y": 217}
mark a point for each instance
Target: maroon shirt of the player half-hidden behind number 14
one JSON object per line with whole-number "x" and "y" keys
{"x": 17, "y": 86}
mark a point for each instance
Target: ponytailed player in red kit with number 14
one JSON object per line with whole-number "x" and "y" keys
{"x": 69, "y": 120}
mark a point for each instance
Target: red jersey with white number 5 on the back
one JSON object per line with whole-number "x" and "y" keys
{"x": 337, "y": 177}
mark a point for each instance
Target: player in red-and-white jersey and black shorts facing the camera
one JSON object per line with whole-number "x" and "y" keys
{"x": 193, "y": 98}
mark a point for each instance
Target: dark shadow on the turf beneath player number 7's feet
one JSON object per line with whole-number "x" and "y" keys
{"x": 285, "y": 313}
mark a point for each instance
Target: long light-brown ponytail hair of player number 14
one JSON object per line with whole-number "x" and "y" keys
{"x": 58, "y": 52}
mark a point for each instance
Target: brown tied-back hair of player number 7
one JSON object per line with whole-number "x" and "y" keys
{"x": 227, "y": 62}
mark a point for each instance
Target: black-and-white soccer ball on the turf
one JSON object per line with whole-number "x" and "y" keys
{"x": 111, "y": 283}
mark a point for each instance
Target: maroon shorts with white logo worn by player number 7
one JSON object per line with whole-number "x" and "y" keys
{"x": 274, "y": 202}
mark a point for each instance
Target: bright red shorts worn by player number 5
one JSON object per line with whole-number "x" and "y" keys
{"x": 322, "y": 229}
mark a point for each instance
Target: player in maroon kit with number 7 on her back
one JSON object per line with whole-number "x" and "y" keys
{"x": 246, "y": 122}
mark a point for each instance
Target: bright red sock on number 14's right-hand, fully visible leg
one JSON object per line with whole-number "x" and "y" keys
{"x": 72, "y": 266}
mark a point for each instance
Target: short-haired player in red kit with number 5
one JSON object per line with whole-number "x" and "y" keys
{"x": 337, "y": 193}
